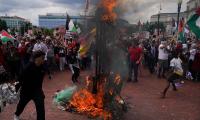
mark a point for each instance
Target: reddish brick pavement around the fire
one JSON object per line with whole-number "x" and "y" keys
{"x": 143, "y": 99}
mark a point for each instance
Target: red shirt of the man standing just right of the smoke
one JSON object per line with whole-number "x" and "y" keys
{"x": 135, "y": 53}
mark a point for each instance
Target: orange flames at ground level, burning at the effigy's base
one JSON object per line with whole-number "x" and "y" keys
{"x": 92, "y": 105}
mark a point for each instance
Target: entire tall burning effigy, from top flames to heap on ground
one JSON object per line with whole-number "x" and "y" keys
{"x": 100, "y": 96}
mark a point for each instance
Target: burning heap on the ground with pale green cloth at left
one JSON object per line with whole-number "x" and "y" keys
{"x": 105, "y": 104}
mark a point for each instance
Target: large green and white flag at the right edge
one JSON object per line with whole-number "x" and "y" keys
{"x": 194, "y": 23}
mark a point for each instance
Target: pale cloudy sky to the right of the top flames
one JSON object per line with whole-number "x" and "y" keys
{"x": 135, "y": 10}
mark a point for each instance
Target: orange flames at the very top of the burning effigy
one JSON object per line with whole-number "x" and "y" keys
{"x": 109, "y": 15}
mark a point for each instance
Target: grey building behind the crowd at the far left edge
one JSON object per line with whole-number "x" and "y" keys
{"x": 14, "y": 21}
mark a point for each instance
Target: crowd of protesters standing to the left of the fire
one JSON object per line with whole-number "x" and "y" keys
{"x": 15, "y": 55}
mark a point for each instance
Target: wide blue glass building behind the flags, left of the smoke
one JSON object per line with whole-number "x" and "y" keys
{"x": 54, "y": 20}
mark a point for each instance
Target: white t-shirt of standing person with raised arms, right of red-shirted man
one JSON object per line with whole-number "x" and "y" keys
{"x": 162, "y": 53}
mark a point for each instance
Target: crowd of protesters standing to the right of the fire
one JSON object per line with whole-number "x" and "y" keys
{"x": 166, "y": 58}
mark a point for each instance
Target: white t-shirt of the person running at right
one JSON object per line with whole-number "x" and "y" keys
{"x": 176, "y": 63}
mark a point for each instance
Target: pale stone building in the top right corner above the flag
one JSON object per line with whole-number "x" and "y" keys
{"x": 192, "y": 5}
